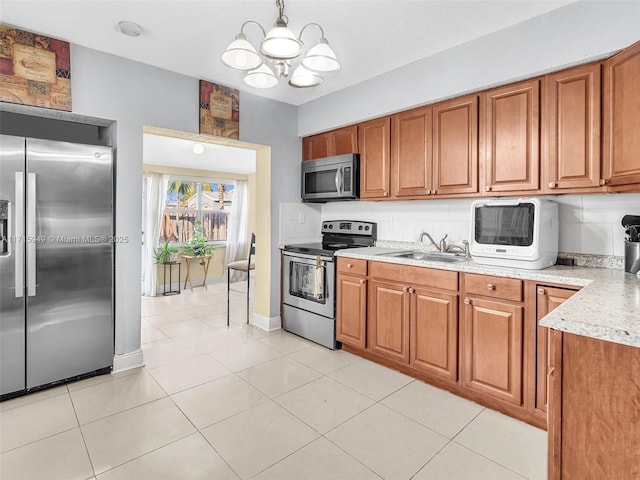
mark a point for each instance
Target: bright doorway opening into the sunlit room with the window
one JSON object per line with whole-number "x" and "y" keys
{"x": 212, "y": 185}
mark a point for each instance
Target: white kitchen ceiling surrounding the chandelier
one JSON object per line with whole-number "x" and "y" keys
{"x": 370, "y": 37}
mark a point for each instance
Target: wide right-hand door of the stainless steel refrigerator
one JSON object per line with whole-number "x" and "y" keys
{"x": 69, "y": 284}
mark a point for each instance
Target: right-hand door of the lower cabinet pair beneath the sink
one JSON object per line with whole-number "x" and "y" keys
{"x": 434, "y": 333}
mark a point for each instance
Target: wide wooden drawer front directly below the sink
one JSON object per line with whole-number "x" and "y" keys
{"x": 415, "y": 276}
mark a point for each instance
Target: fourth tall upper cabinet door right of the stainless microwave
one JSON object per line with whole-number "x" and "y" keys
{"x": 512, "y": 137}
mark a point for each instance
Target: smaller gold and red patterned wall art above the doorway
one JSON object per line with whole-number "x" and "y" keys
{"x": 219, "y": 110}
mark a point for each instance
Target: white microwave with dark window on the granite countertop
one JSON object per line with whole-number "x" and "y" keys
{"x": 519, "y": 233}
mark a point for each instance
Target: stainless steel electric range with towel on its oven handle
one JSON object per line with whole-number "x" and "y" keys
{"x": 309, "y": 279}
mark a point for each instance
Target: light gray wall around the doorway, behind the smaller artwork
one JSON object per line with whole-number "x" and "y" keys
{"x": 135, "y": 95}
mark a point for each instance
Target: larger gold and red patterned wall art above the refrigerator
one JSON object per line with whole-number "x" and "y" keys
{"x": 34, "y": 69}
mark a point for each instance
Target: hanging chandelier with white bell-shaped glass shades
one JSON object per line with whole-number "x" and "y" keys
{"x": 279, "y": 48}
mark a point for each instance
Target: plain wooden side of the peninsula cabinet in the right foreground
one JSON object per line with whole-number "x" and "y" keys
{"x": 594, "y": 409}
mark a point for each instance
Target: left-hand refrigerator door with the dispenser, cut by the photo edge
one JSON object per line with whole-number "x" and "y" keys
{"x": 12, "y": 299}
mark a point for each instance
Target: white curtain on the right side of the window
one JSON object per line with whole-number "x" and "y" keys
{"x": 237, "y": 246}
